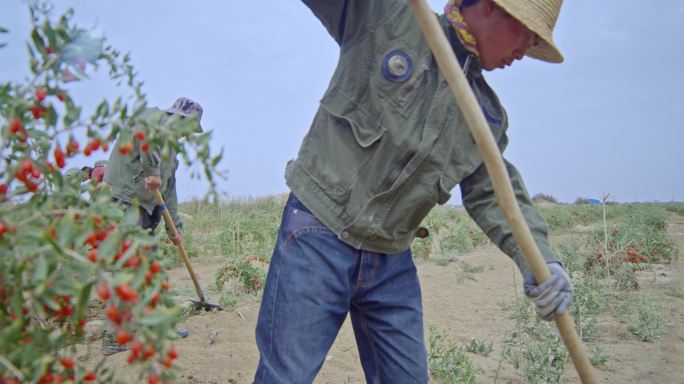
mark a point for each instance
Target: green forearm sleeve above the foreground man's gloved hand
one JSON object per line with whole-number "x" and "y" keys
{"x": 480, "y": 202}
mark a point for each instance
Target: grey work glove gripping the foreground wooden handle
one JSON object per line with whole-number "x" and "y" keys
{"x": 554, "y": 296}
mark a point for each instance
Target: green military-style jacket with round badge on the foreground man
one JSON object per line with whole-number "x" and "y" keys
{"x": 389, "y": 142}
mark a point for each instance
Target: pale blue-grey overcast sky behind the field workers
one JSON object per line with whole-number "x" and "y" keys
{"x": 607, "y": 120}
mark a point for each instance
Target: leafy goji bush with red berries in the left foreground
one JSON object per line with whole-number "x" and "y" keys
{"x": 63, "y": 243}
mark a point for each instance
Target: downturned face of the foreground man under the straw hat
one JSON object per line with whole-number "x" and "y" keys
{"x": 502, "y": 39}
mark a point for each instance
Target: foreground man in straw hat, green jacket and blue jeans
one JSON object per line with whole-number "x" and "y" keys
{"x": 387, "y": 144}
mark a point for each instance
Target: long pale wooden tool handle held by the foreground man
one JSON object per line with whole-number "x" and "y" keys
{"x": 497, "y": 172}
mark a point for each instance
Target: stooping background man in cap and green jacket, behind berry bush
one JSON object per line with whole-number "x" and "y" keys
{"x": 135, "y": 175}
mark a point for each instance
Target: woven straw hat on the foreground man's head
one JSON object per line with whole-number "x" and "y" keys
{"x": 540, "y": 17}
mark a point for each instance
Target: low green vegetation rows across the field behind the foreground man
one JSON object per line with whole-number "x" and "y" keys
{"x": 241, "y": 233}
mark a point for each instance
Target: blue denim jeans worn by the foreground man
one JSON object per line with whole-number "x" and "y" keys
{"x": 314, "y": 280}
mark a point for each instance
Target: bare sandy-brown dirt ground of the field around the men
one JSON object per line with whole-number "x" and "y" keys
{"x": 464, "y": 310}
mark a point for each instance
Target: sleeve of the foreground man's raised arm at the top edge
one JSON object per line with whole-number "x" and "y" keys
{"x": 347, "y": 20}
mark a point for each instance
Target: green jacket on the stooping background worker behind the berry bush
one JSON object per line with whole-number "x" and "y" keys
{"x": 126, "y": 173}
